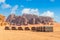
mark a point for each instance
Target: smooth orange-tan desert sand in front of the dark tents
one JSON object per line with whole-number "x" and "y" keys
{"x": 29, "y": 35}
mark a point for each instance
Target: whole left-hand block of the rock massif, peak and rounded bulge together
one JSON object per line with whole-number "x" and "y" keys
{"x": 16, "y": 20}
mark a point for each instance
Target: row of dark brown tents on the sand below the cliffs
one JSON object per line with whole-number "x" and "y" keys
{"x": 34, "y": 29}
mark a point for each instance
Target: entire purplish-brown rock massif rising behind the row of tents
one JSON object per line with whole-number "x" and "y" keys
{"x": 28, "y": 19}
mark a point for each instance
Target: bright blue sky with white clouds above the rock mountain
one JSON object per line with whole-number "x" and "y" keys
{"x": 40, "y": 7}
